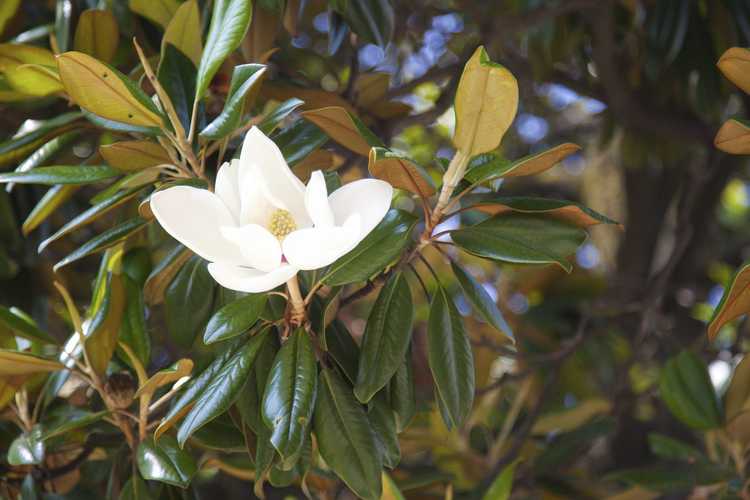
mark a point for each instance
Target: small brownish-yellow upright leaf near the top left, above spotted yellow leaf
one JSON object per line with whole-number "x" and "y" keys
{"x": 97, "y": 34}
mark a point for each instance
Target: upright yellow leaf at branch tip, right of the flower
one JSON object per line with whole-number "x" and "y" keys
{"x": 486, "y": 103}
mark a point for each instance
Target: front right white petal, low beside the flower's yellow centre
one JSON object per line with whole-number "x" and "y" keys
{"x": 313, "y": 248}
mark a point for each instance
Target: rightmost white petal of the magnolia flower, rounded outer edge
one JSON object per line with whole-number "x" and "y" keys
{"x": 370, "y": 198}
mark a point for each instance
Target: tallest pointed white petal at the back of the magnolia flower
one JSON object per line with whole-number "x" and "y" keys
{"x": 282, "y": 187}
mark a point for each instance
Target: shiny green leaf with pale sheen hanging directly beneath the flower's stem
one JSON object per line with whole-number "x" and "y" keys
{"x": 289, "y": 397}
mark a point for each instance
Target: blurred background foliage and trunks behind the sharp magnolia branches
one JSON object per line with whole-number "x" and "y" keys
{"x": 592, "y": 401}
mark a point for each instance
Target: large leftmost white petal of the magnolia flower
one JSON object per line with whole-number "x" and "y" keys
{"x": 193, "y": 217}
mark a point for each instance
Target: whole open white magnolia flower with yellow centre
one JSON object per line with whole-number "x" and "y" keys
{"x": 263, "y": 225}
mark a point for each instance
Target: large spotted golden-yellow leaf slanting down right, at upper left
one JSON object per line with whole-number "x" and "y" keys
{"x": 102, "y": 90}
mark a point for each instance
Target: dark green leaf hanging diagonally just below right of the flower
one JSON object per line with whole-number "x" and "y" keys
{"x": 386, "y": 338}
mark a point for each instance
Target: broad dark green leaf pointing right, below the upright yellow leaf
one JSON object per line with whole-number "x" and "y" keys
{"x": 522, "y": 239}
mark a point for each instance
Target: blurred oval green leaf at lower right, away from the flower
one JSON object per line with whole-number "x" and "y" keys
{"x": 686, "y": 389}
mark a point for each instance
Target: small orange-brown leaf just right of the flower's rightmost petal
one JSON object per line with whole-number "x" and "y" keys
{"x": 400, "y": 172}
